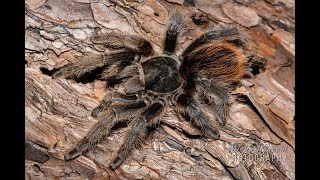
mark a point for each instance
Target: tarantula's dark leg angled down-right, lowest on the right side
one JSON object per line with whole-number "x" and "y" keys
{"x": 191, "y": 108}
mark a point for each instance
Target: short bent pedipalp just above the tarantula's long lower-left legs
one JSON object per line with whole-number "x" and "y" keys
{"x": 114, "y": 96}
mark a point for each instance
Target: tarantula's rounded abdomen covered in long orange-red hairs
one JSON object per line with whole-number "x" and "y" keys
{"x": 219, "y": 60}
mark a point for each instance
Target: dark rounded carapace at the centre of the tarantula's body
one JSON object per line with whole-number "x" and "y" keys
{"x": 161, "y": 74}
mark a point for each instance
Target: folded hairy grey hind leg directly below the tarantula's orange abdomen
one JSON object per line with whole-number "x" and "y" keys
{"x": 216, "y": 95}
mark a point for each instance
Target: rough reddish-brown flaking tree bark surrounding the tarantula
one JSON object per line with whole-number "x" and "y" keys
{"x": 58, "y": 110}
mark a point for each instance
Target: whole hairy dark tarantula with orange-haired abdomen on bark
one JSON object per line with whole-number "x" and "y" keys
{"x": 201, "y": 76}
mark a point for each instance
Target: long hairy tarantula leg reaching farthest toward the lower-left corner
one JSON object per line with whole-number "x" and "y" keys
{"x": 107, "y": 120}
